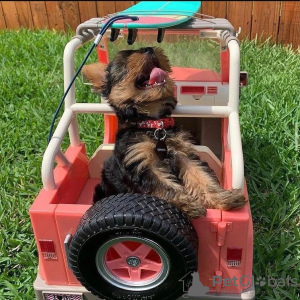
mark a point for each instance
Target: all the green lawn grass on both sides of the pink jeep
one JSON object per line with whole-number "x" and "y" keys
{"x": 31, "y": 86}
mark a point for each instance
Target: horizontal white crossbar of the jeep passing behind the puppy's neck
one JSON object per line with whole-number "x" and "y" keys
{"x": 180, "y": 111}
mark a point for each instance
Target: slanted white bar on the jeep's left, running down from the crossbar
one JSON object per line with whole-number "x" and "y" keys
{"x": 54, "y": 148}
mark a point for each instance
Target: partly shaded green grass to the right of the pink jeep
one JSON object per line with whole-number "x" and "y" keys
{"x": 270, "y": 124}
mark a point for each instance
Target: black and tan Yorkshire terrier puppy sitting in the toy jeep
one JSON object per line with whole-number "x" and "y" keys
{"x": 151, "y": 155}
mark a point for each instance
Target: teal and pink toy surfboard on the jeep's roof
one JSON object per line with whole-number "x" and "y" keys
{"x": 158, "y": 14}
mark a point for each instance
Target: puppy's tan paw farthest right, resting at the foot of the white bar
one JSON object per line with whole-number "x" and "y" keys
{"x": 231, "y": 200}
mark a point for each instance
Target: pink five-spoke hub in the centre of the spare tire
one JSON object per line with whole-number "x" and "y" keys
{"x": 133, "y": 262}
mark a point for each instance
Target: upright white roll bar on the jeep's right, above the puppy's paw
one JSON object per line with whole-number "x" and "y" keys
{"x": 234, "y": 133}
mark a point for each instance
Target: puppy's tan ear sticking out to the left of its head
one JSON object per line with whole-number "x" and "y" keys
{"x": 95, "y": 74}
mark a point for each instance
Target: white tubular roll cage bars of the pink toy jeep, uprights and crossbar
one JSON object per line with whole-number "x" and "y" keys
{"x": 68, "y": 120}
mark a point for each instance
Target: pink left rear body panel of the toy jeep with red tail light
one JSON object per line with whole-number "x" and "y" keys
{"x": 45, "y": 215}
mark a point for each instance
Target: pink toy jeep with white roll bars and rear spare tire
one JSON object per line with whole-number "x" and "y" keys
{"x": 135, "y": 246}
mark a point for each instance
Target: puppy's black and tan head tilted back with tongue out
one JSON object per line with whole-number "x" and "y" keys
{"x": 136, "y": 83}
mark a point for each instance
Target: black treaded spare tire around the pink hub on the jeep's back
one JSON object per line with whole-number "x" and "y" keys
{"x": 135, "y": 216}
